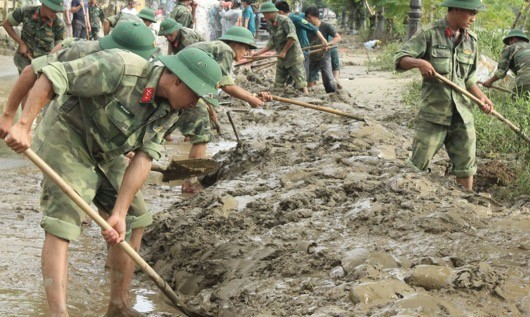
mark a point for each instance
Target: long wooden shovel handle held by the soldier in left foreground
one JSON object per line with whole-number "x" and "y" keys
{"x": 126, "y": 247}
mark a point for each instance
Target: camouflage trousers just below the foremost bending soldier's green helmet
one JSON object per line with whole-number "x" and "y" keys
{"x": 195, "y": 123}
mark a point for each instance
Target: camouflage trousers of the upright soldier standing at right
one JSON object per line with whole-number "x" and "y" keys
{"x": 459, "y": 140}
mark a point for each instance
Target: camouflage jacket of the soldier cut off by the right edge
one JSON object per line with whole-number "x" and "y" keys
{"x": 516, "y": 58}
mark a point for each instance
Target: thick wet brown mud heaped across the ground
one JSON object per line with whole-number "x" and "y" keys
{"x": 313, "y": 215}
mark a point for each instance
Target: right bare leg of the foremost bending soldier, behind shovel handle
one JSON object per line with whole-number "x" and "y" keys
{"x": 121, "y": 272}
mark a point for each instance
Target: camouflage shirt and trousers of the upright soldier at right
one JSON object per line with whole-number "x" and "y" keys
{"x": 445, "y": 116}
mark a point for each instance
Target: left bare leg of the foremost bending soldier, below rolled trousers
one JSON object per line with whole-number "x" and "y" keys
{"x": 54, "y": 262}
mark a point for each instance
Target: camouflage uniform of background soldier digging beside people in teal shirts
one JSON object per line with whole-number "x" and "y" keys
{"x": 280, "y": 31}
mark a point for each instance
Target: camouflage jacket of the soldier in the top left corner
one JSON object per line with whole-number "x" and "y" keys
{"x": 39, "y": 37}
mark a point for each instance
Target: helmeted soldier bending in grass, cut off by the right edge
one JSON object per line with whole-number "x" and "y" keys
{"x": 514, "y": 57}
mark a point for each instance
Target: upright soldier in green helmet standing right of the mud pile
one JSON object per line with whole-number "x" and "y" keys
{"x": 445, "y": 116}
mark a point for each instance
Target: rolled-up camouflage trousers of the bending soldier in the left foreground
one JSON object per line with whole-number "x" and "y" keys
{"x": 62, "y": 147}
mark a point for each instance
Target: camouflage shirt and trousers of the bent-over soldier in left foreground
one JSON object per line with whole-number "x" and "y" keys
{"x": 112, "y": 111}
